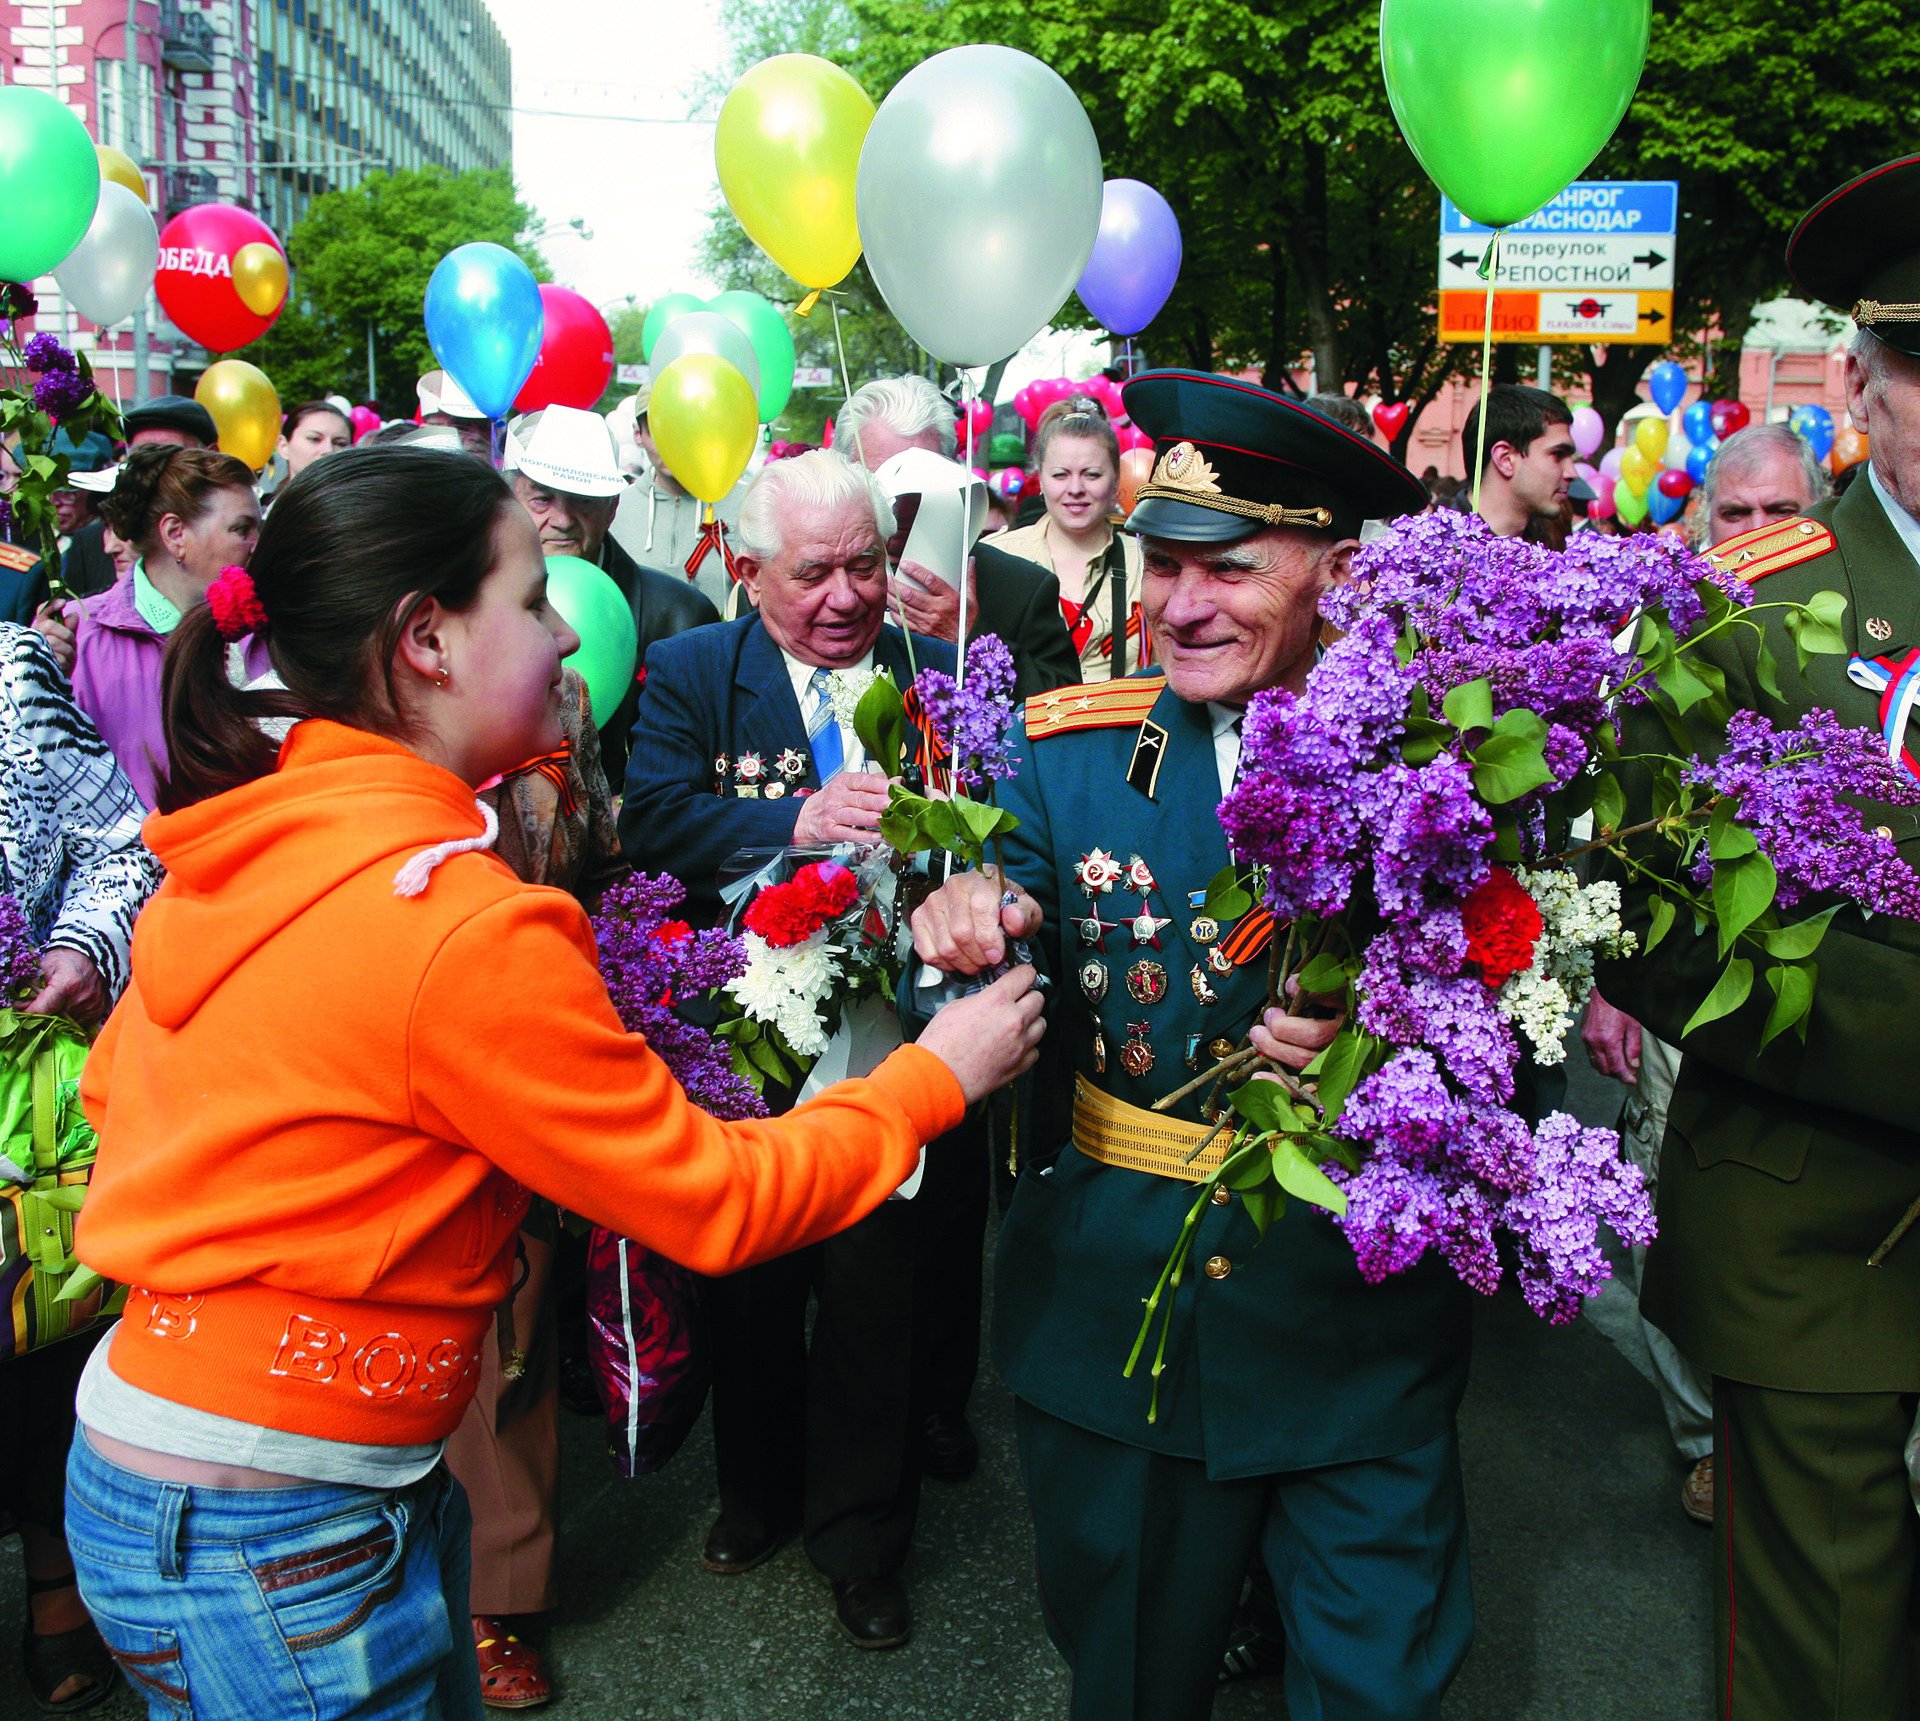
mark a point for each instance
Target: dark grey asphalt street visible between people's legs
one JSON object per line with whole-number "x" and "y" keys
{"x": 1591, "y": 1586}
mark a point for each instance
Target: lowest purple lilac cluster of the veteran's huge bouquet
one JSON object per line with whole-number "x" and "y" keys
{"x": 1449, "y": 1176}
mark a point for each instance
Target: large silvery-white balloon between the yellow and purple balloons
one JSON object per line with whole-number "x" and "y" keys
{"x": 978, "y": 201}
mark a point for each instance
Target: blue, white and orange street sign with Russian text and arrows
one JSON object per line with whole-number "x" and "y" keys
{"x": 1593, "y": 266}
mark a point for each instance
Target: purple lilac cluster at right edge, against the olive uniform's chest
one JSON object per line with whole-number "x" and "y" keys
{"x": 1787, "y": 788}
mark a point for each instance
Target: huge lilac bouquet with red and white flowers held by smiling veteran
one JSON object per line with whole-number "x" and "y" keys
{"x": 1410, "y": 819}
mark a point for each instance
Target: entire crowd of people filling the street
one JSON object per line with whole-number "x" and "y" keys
{"x": 308, "y": 810}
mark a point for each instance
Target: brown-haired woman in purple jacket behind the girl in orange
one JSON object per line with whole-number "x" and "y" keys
{"x": 189, "y": 514}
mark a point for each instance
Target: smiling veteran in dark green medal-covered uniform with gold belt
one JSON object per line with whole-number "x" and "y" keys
{"x": 1305, "y": 1415}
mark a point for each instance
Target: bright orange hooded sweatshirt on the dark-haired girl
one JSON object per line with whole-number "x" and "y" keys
{"x": 322, "y": 1107}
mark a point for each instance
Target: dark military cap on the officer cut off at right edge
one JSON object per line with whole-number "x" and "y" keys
{"x": 1860, "y": 253}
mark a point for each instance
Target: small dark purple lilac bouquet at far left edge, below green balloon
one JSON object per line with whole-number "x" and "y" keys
{"x": 59, "y": 391}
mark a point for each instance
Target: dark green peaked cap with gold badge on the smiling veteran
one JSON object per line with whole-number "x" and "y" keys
{"x": 1234, "y": 458}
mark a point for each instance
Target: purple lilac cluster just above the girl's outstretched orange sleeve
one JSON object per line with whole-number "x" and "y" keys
{"x": 652, "y": 961}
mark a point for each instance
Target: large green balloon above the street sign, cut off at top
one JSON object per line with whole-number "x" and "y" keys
{"x": 1508, "y": 101}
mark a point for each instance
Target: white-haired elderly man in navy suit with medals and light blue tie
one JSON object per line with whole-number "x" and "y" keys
{"x": 744, "y": 740}
